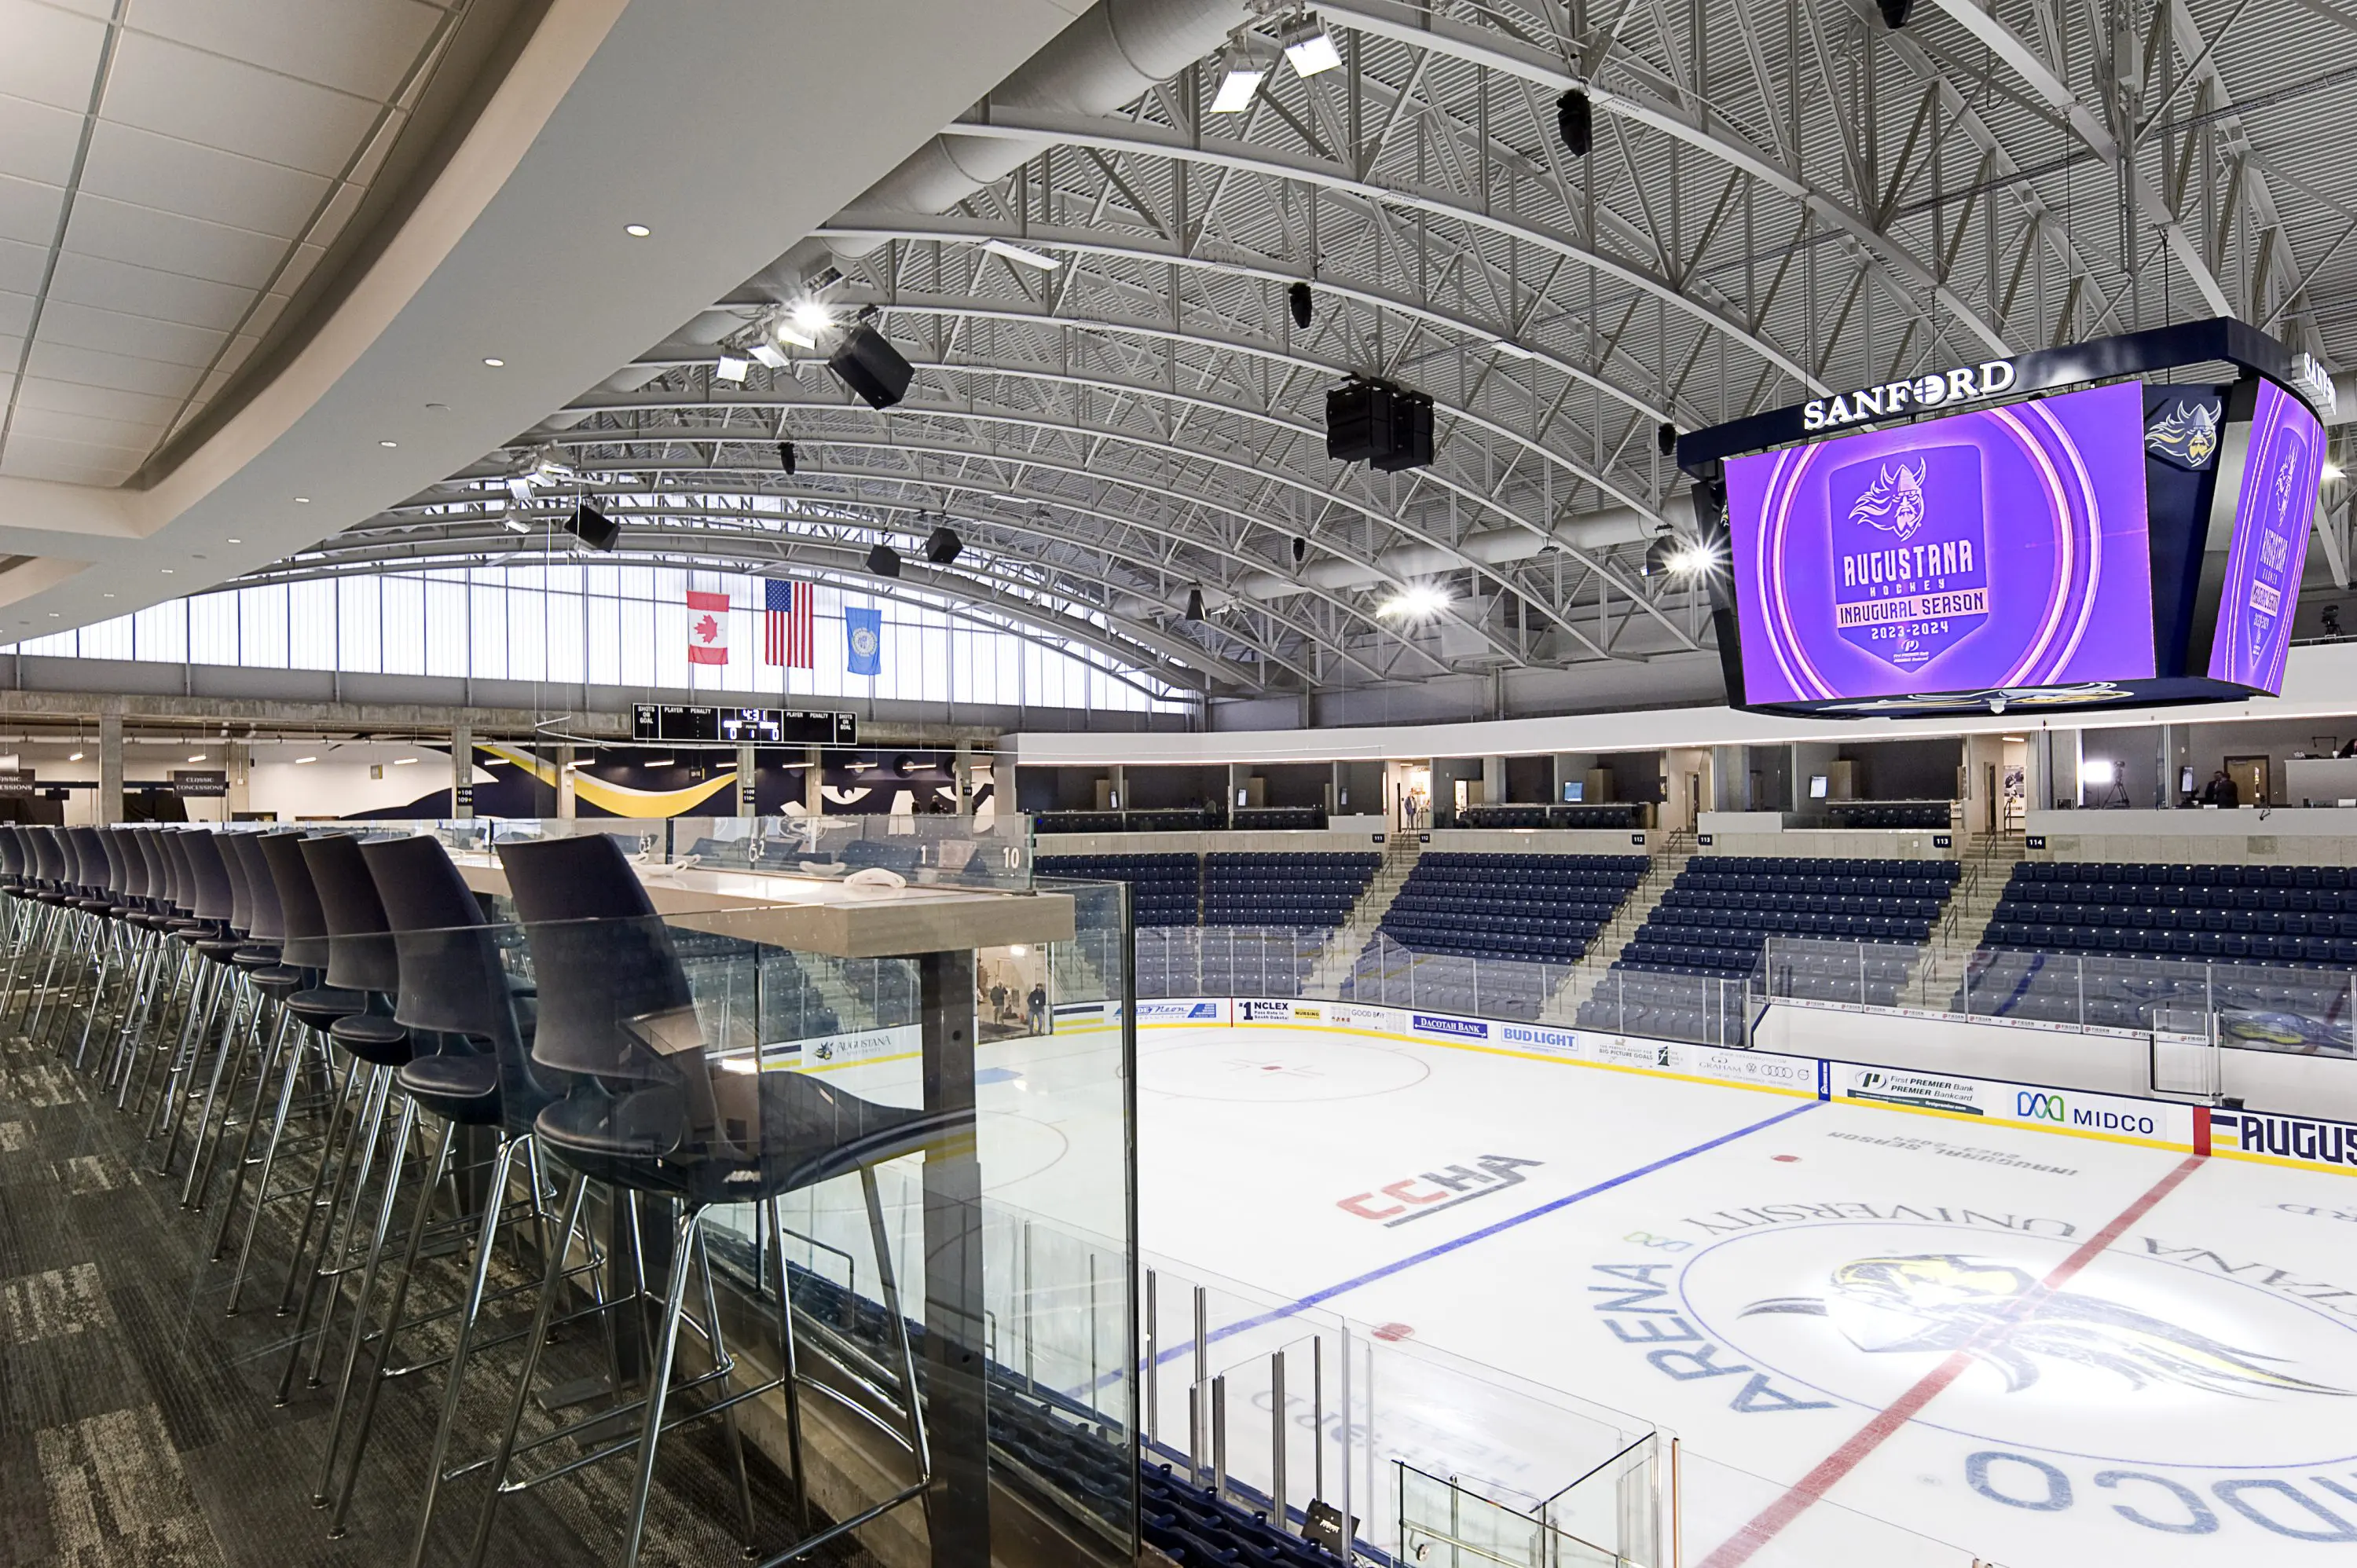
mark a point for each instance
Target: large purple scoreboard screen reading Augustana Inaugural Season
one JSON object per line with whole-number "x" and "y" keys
{"x": 1988, "y": 551}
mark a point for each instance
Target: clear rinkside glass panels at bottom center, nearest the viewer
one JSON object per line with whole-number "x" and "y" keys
{"x": 1446, "y": 1463}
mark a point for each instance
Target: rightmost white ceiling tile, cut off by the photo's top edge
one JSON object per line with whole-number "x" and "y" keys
{"x": 352, "y": 46}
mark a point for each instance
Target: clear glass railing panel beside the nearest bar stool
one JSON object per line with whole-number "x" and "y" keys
{"x": 673, "y": 1046}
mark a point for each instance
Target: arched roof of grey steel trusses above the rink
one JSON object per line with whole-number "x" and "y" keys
{"x": 1778, "y": 202}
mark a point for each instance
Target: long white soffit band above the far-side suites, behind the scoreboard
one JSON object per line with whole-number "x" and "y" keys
{"x": 2318, "y": 683}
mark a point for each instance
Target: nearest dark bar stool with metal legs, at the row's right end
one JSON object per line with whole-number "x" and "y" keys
{"x": 656, "y": 1109}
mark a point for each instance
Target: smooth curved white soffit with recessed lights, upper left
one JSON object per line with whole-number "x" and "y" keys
{"x": 727, "y": 129}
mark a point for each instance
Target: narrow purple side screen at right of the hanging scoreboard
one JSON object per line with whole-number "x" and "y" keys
{"x": 2280, "y": 473}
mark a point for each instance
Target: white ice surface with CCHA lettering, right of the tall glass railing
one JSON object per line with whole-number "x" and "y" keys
{"x": 1797, "y": 1289}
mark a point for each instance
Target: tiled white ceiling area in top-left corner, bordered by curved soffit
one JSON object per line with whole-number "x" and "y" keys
{"x": 209, "y": 176}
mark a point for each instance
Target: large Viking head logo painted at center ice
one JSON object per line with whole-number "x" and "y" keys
{"x": 2005, "y": 1317}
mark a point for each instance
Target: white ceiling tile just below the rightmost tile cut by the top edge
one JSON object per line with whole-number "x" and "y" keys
{"x": 223, "y": 103}
